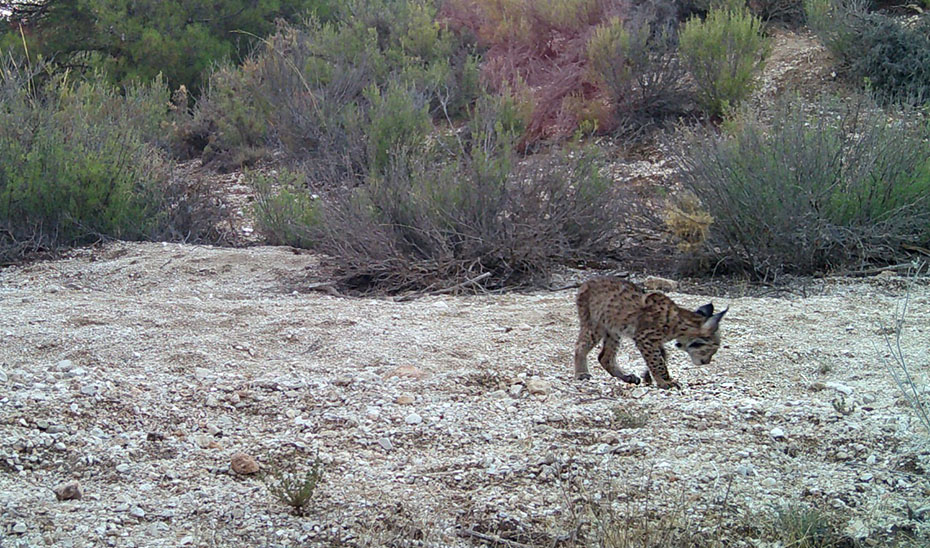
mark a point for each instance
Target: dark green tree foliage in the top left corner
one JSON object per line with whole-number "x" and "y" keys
{"x": 136, "y": 41}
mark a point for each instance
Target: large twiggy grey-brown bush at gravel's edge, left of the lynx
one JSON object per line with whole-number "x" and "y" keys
{"x": 466, "y": 209}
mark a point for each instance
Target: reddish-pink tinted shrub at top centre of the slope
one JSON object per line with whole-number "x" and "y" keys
{"x": 540, "y": 47}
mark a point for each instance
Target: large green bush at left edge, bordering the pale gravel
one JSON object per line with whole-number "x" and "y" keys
{"x": 78, "y": 163}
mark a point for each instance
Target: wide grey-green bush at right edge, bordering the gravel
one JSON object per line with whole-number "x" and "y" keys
{"x": 824, "y": 187}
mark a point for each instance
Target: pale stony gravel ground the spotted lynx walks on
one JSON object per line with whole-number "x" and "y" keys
{"x": 139, "y": 370}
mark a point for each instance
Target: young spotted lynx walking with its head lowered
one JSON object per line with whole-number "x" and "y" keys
{"x": 610, "y": 308}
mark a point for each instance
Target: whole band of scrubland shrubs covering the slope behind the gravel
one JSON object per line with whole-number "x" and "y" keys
{"x": 424, "y": 143}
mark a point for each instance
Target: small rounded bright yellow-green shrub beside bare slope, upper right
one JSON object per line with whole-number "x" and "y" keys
{"x": 724, "y": 53}
